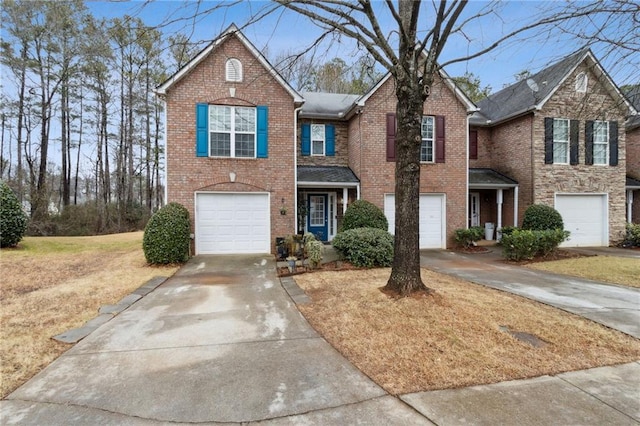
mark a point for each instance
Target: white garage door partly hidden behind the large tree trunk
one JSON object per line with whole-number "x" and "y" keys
{"x": 432, "y": 214}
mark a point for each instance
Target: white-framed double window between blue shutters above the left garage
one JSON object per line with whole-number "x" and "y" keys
{"x": 232, "y": 131}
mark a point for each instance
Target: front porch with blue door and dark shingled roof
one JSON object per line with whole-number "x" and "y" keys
{"x": 323, "y": 194}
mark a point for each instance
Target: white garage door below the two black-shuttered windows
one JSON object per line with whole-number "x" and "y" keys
{"x": 585, "y": 216}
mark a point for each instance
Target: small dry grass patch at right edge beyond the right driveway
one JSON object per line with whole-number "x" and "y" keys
{"x": 608, "y": 269}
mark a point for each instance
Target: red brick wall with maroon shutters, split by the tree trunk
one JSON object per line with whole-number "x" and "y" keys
{"x": 369, "y": 160}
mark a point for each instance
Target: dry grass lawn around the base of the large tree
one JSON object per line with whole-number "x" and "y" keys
{"x": 451, "y": 338}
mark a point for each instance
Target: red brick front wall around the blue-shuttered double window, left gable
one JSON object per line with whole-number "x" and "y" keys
{"x": 187, "y": 173}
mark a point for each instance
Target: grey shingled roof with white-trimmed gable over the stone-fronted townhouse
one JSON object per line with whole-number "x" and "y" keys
{"x": 534, "y": 92}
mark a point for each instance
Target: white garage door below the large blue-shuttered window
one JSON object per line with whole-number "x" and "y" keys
{"x": 229, "y": 223}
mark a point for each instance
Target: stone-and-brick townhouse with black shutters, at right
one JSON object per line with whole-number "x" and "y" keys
{"x": 560, "y": 135}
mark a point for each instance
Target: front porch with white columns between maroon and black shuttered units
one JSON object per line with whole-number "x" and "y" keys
{"x": 493, "y": 199}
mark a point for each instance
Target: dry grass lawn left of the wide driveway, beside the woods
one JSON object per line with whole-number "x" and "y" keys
{"x": 52, "y": 284}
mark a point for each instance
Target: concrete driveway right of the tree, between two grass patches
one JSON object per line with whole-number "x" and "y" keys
{"x": 615, "y": 306}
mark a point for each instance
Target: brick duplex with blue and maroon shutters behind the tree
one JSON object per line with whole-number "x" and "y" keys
{"x": 246, "y": 152}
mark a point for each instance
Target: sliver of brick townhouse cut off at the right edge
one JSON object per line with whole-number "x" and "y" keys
{"x": 633, "y": 158}
